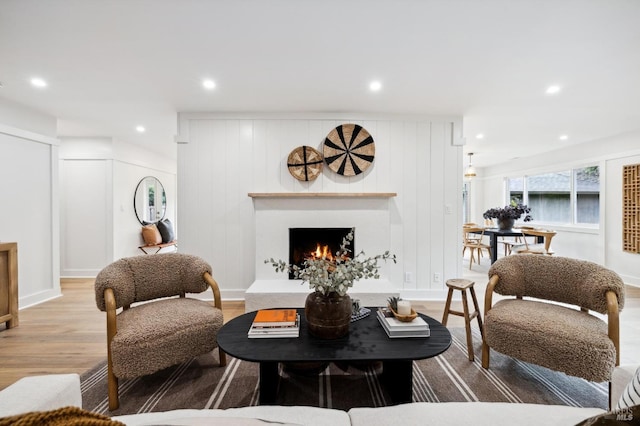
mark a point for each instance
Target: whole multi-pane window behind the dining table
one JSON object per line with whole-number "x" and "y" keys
{"x": 568, "y": 196}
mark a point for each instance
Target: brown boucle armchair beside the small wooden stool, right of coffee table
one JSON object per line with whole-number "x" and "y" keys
{"x": 560, "y": 337}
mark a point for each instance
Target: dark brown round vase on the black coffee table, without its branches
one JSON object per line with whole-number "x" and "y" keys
{"x": 328, "y": 315}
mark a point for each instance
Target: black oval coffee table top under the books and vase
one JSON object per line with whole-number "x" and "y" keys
{"x": 366, "y": 341}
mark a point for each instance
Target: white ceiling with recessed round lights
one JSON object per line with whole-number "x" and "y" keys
{"x": 112, "y": 65}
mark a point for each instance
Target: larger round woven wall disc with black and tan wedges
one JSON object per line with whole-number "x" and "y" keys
{"x": 349, "y": 150}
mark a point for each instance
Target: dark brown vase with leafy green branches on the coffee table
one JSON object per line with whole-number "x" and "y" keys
{"x": 328, "y": 307}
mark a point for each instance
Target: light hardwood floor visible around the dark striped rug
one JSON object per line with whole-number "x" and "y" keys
{"x": 67, "y": 334}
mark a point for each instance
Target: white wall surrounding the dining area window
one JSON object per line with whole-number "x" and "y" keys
{"x": 603, "y": 245}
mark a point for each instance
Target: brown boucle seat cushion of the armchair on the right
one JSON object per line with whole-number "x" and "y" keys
{"x": 552, "y": 336}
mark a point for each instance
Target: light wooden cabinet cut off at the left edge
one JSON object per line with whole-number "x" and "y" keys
{"x": 9, "y": 284}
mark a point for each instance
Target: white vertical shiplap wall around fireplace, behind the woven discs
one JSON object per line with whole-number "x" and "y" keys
{"x": 221, "y": 159}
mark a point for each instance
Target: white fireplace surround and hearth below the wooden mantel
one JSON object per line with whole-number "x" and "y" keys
{"x": 371, "y": 218}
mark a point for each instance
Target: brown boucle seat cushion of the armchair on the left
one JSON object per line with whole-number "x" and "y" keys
{"x": 156, "y": 335}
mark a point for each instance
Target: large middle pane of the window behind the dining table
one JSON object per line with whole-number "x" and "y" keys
{"x": 550, "y": 197}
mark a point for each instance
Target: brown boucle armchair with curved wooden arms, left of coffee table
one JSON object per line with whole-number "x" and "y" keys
{"x": 165, "y": 330}
